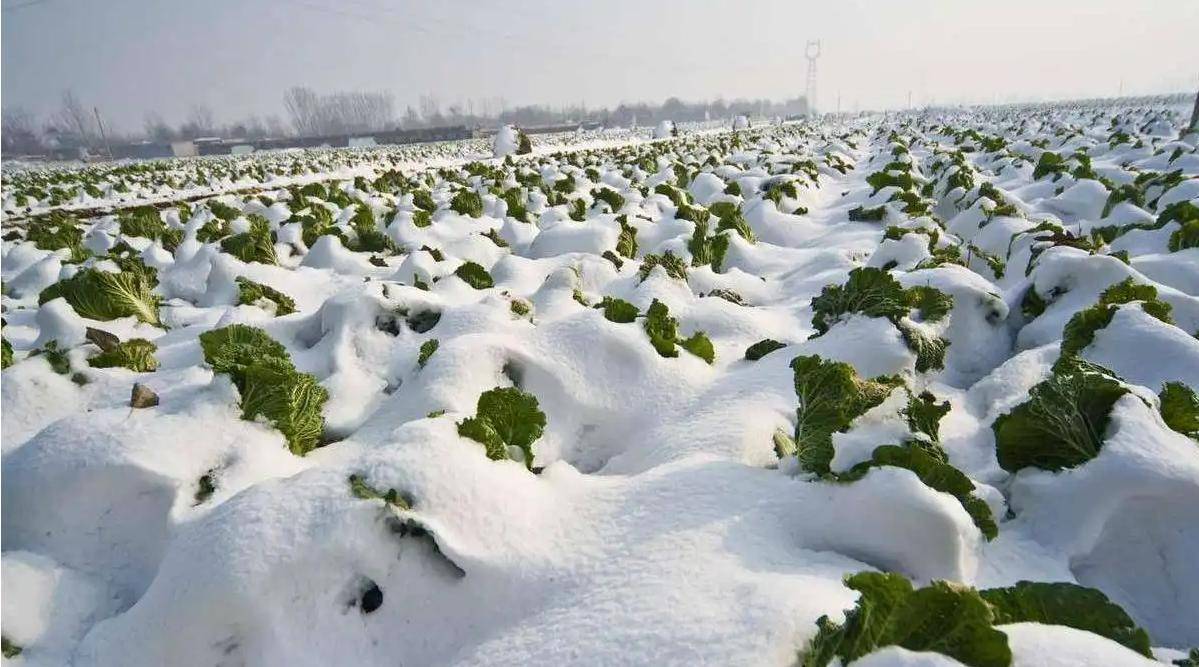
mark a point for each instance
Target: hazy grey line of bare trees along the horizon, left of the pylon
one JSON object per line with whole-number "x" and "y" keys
{"x": 310, "y": 113}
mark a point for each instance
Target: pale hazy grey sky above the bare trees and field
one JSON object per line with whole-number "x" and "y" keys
{"x": 134, "y": 57}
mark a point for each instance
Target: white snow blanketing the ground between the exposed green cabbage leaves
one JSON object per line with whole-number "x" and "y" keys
{"x": 659, "y": 525}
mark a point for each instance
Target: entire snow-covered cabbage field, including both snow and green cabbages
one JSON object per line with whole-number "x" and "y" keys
{"x": 899, "y": 390}
